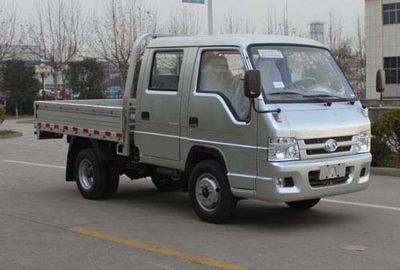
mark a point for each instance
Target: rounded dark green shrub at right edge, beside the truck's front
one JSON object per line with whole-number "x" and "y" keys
{"x": 385, "y": 143}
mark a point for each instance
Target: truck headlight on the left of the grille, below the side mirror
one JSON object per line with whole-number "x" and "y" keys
{"x": 283, "y": 149}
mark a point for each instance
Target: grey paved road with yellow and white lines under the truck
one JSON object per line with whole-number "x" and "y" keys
{"x": 39, "y": 213}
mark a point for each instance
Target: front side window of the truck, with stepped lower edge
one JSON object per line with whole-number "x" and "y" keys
{"x": 222, "y": 72}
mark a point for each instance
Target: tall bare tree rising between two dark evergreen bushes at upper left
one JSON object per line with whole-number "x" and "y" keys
{"x": 59, "y": 31}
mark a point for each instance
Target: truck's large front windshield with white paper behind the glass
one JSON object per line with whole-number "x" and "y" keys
{"x": 294, "y": 73}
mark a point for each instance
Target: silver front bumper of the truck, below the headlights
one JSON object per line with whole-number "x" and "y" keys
{"x": 268, "y": 188}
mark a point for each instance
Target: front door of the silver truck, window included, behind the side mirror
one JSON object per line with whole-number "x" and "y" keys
{"x": 220, "y": 115}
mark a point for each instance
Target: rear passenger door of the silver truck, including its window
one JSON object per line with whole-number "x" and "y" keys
{"x": 157, "y": 131}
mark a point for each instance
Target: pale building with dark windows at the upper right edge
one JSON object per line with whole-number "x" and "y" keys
{"x": 383, "y": 46}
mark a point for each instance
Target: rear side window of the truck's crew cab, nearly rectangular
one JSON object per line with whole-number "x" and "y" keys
{"x": 166, "y": 70}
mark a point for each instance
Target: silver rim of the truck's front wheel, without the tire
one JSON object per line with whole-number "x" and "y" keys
{"x": 207, "y": 192}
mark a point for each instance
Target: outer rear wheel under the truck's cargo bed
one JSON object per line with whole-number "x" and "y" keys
{"x": 90, "y": 176}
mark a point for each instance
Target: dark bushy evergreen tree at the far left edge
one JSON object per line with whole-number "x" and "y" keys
{"x": 20, "y": 84}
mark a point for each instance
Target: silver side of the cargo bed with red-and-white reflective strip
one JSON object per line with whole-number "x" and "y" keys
{"x": 100, "y": 119}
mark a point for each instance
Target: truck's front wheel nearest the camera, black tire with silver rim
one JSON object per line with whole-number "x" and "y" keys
{"x": 210, "y": 194}
